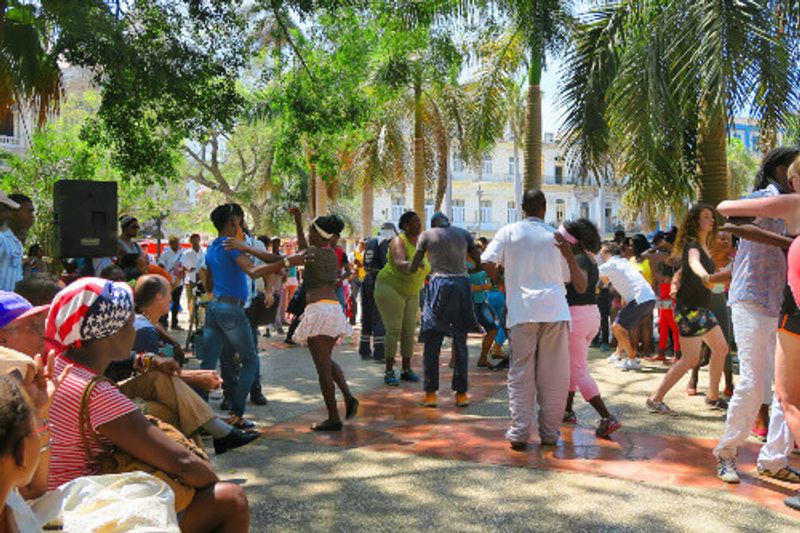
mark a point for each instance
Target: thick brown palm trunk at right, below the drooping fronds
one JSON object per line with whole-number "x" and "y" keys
{"x": 712, "y": 158}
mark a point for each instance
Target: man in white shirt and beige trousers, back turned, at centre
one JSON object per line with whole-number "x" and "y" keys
{"x": 538, "y": 263}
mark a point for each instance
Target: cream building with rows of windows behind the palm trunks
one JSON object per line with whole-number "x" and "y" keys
{"x": 483, "y": 200}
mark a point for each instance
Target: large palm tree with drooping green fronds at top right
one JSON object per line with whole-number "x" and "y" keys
{"x": 654, "y": 84}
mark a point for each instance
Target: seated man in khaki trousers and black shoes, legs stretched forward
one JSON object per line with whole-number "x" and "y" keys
{"x": 161, "y": 382}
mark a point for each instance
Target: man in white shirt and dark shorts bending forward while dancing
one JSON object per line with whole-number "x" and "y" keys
{"x": 639, "y": 301}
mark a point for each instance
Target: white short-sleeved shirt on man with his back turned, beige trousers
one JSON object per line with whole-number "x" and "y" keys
{"x": 535, "y": 272}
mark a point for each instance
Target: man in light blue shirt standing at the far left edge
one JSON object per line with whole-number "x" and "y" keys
{"x": 19, "y": 220}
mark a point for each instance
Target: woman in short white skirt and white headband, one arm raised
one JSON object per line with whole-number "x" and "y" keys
{"x": 324, "y": 321}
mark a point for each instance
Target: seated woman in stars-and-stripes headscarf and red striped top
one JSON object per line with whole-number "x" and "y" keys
{"x": 90, "y": 324}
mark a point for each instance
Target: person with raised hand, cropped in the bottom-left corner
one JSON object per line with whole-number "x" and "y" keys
{"x": 24, "y": 442}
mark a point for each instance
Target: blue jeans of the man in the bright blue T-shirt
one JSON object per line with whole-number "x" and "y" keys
{"x": 227, "y": 331}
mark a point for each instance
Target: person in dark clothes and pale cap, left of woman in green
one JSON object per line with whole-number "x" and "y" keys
{"x": 372, "y": 328}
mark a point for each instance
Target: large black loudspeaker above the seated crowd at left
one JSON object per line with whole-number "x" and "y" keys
{"x": 85, "y": 218}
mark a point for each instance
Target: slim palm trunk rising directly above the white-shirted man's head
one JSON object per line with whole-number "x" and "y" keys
{"x": 533, "y": 124}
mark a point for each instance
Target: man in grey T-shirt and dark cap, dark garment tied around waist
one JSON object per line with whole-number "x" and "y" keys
{"x": 448, "y": 309}
